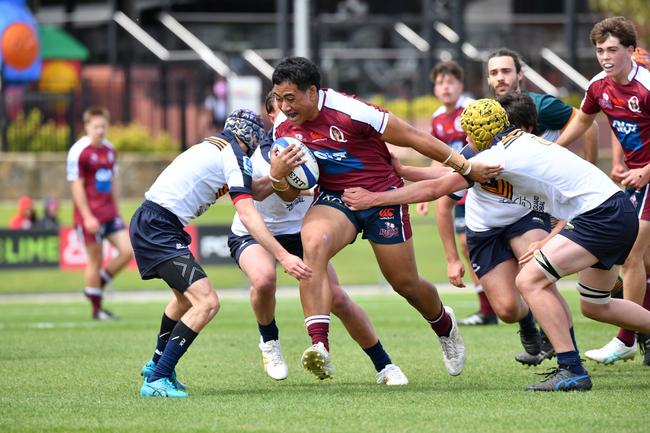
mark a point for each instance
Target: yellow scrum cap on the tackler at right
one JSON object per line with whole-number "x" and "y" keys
{"x": 482, "y": 120}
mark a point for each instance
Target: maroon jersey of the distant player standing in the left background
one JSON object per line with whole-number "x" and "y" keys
{"x": 96, "y": 167}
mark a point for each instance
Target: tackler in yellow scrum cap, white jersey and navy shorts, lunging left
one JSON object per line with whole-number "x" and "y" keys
{"x": 601, "y": 227}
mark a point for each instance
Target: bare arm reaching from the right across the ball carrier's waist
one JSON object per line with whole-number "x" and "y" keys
{"x": 357, "y": 198}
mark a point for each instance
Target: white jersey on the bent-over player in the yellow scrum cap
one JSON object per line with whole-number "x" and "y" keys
{"x": 543, "y": 176}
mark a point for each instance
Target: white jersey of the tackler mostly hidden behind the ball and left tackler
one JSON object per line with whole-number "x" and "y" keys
{"x": 281, "y": 217}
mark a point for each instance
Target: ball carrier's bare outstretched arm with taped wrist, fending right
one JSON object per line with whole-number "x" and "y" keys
{"x": 400, "y": 133}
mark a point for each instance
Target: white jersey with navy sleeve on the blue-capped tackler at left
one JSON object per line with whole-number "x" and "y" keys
{"x": 202, "y": 174}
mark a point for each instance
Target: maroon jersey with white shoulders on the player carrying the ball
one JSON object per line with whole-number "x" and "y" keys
{"x": 346, "y": 140}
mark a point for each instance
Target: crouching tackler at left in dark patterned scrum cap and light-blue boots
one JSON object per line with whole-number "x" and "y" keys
{"x": 183, "y": 191}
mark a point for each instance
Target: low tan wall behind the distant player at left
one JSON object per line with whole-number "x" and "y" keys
{"x": 41, "y": 175}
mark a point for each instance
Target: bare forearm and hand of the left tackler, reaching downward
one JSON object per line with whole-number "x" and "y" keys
{"x": 253, "y": 222}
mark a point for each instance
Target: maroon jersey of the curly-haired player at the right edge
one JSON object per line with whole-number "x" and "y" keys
{"x": 628, "y": 110}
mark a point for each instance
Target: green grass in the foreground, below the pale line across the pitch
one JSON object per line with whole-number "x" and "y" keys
{"x": 65, "y": 373}
